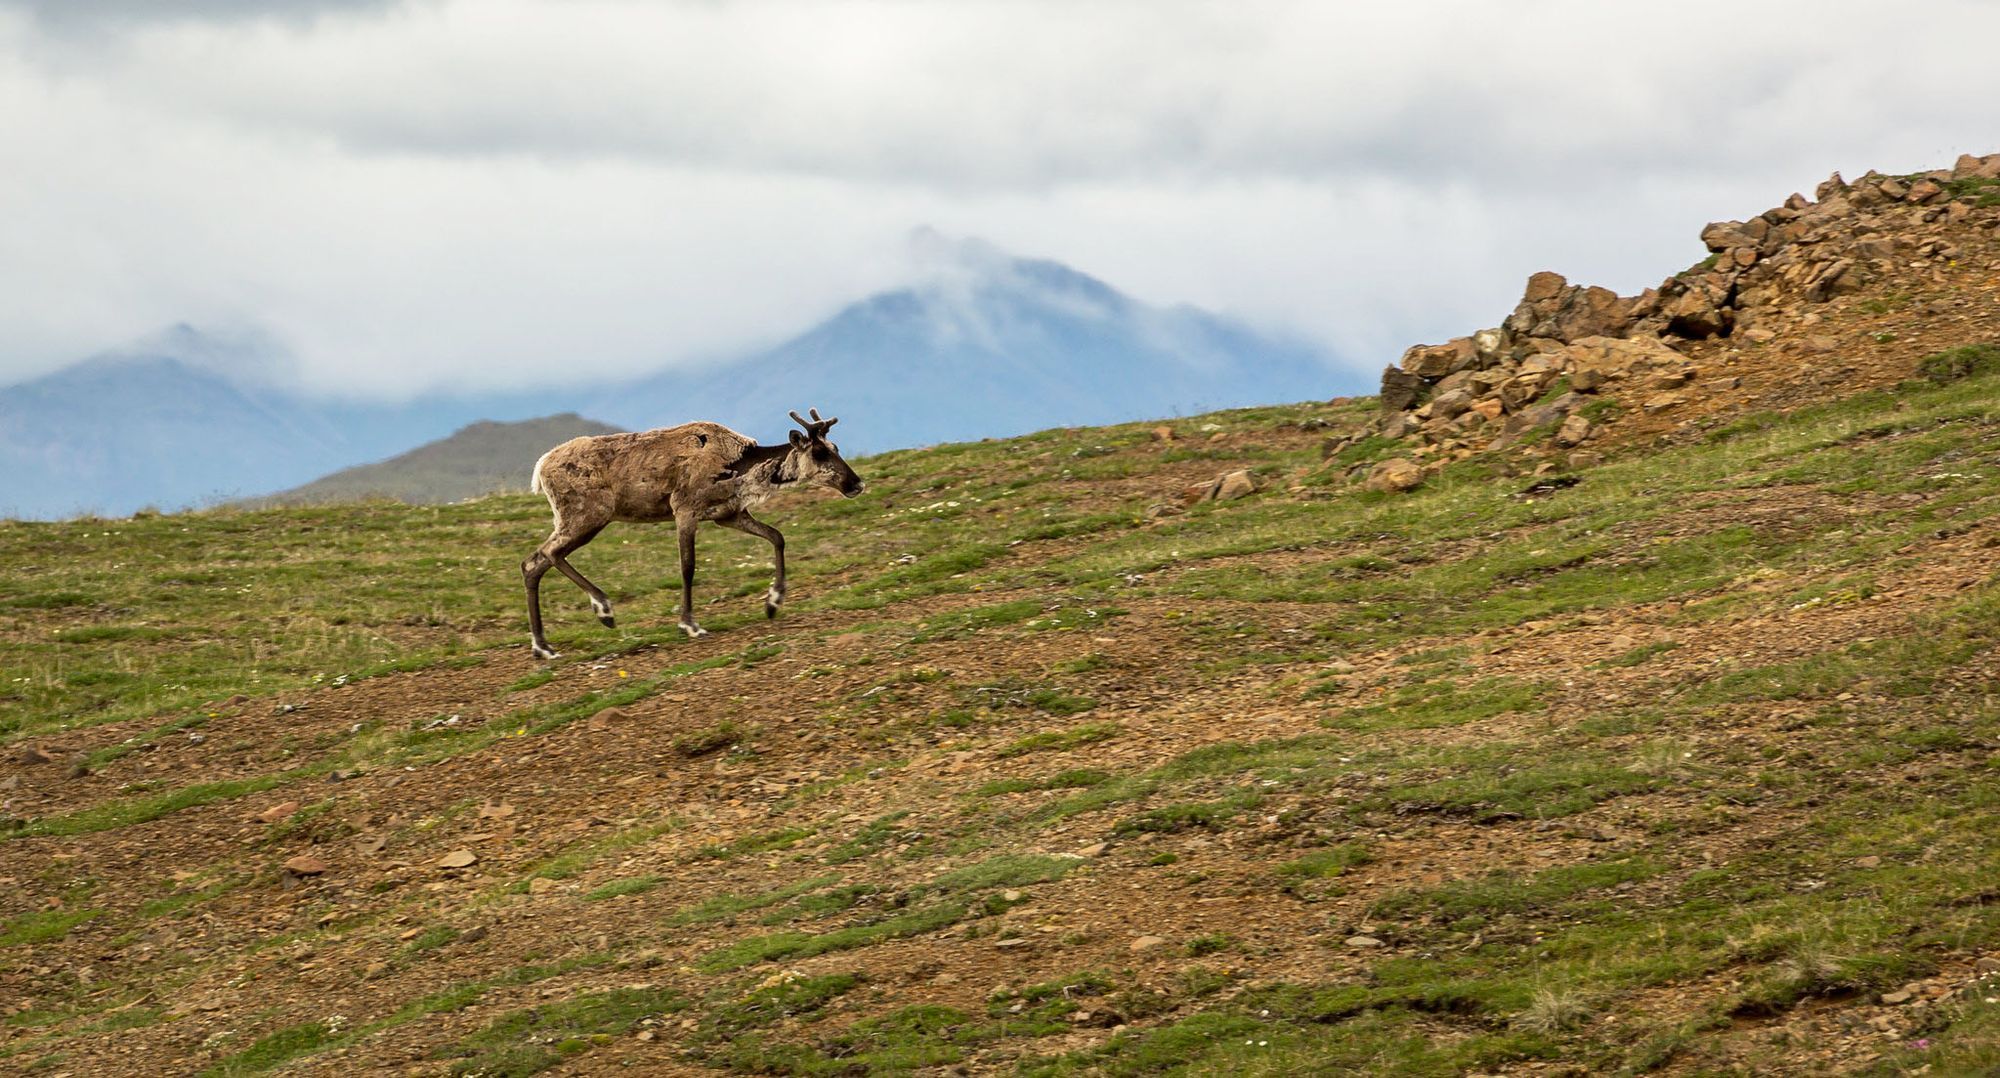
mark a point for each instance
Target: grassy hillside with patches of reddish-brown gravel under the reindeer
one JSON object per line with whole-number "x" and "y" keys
{"x": 1683, "y": 767}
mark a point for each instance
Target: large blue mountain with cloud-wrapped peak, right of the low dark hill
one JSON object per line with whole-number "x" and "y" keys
{"x": 989, "y": 345}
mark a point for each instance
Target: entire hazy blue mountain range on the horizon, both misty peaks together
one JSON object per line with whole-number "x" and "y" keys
{"x": 983, "y": 345}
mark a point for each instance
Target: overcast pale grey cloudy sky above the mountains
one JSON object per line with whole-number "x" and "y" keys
{"x": 501, "y": 193}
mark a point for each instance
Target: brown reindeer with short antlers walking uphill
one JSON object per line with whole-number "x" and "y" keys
{"x": 687, "y": 475}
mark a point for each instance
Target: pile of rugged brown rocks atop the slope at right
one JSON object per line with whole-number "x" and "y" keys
{"x": 1563, "y": 343}
